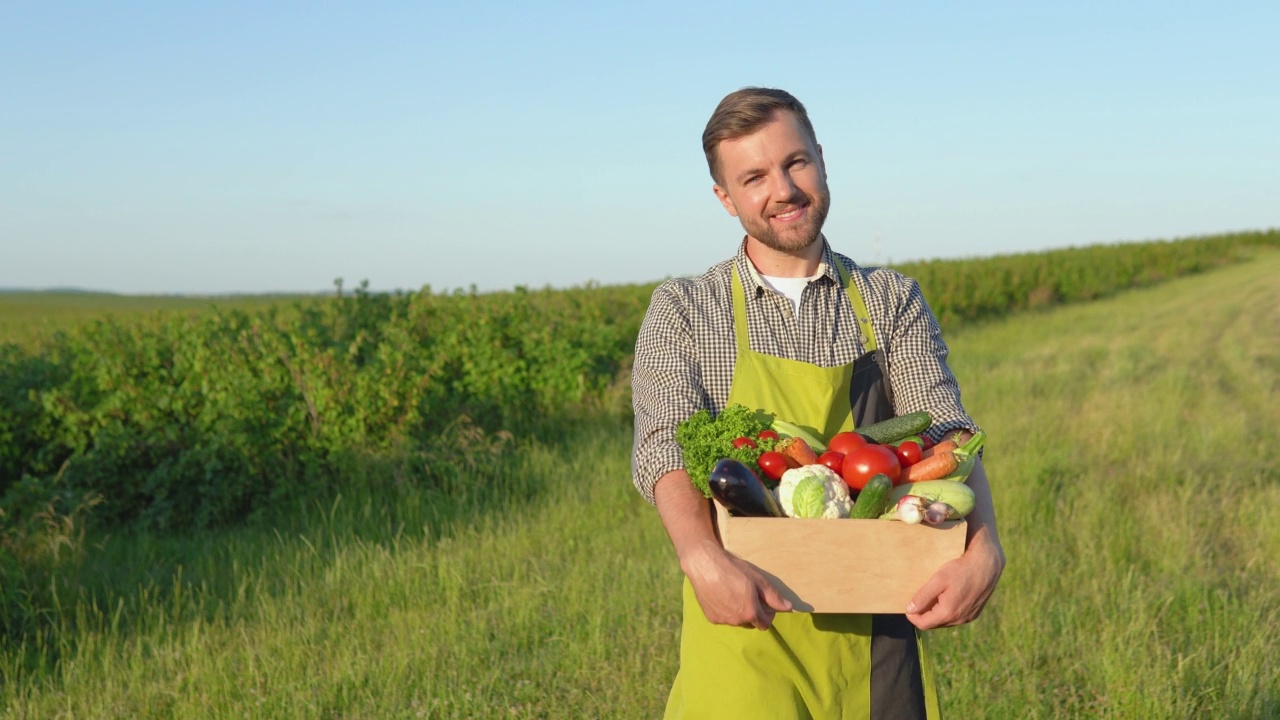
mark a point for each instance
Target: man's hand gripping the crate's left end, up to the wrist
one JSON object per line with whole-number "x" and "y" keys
{"x": 730, "y": 590}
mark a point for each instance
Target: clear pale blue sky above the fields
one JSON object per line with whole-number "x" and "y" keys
{"x": 166, "y": 148}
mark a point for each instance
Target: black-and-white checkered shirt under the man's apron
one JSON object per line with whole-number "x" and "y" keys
{"x": 685, "y": 352}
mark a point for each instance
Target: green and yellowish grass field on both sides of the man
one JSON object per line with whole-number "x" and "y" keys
{"x": 1136, "y": 476}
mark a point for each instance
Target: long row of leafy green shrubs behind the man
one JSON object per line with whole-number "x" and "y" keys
{"x": 205, "y": 418}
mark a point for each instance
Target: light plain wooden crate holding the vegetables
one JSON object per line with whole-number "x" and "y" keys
{"x": 843, "y": 566}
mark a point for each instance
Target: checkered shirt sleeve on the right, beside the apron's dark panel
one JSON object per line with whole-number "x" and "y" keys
{"x": 918, "y": 362}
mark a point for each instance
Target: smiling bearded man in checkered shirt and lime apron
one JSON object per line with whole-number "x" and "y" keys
{"x": 794, "y": 329}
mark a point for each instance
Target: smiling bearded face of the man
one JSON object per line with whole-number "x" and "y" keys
{"x": 775, "y": 184}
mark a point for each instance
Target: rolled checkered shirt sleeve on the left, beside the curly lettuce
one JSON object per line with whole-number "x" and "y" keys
{"x": 666, "y": 385}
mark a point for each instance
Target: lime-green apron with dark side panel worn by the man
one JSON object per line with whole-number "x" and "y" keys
{"x": 807, "y": 666}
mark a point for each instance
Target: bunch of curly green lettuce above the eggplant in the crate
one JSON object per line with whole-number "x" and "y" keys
{"x": 706, "y": 440}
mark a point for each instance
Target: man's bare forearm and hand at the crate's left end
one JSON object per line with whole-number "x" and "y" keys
{"x": 730, "y": 590}
